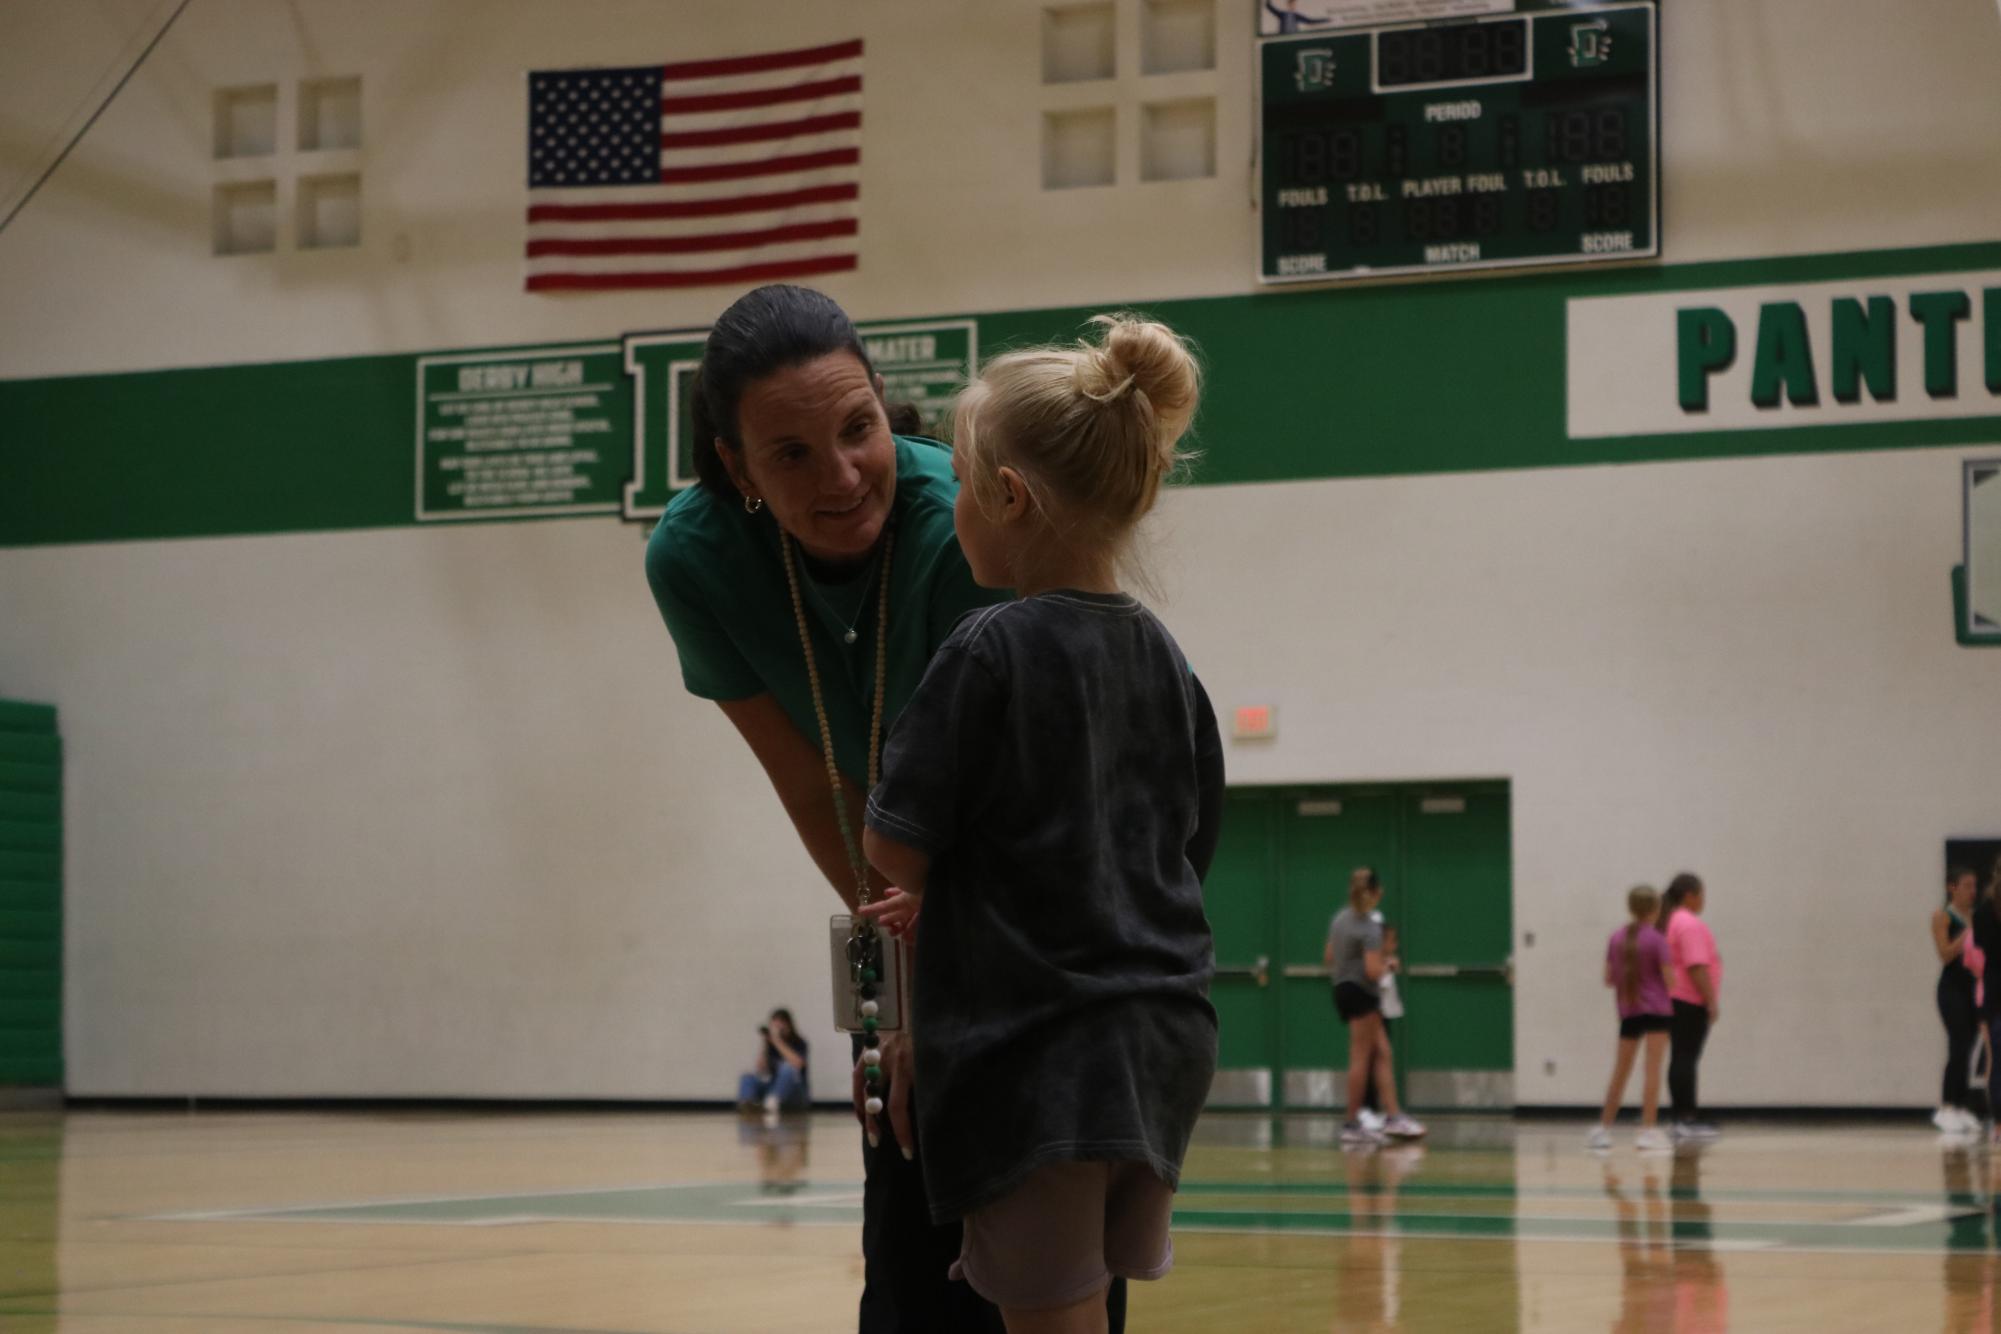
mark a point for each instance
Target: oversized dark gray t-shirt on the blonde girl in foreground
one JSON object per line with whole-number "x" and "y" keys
{"x": 1062, "y": 767}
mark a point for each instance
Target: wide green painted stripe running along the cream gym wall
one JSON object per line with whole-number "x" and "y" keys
{"x": 1396, "y": 379}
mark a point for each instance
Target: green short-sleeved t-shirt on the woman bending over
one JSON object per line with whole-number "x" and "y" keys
{"x": 719, "y": 583}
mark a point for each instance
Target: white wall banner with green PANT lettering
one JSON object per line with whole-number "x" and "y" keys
{"x": 1768, "y": 357}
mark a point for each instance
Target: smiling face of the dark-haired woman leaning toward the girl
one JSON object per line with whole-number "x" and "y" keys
{"x": 819, "y": 455}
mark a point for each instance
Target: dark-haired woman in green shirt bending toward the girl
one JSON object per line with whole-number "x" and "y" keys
{"x": 799, "y": 469}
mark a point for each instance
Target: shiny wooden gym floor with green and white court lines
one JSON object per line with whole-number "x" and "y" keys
{"x": 617, "y": 1223}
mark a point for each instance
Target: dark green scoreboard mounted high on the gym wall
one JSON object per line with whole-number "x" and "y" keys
{"x": 1520, "y": 139}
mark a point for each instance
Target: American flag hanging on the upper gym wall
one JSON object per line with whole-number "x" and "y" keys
{"x": 687, "y": 175}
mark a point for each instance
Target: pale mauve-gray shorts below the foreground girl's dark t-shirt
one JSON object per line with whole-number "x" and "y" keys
{"x": 1066, "y": 1233}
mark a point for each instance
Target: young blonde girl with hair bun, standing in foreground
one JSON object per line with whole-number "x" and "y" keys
{"x": 1050, "y": 799}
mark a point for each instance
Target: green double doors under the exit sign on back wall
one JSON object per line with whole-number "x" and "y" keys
{"x": 1282, "y": 873}
